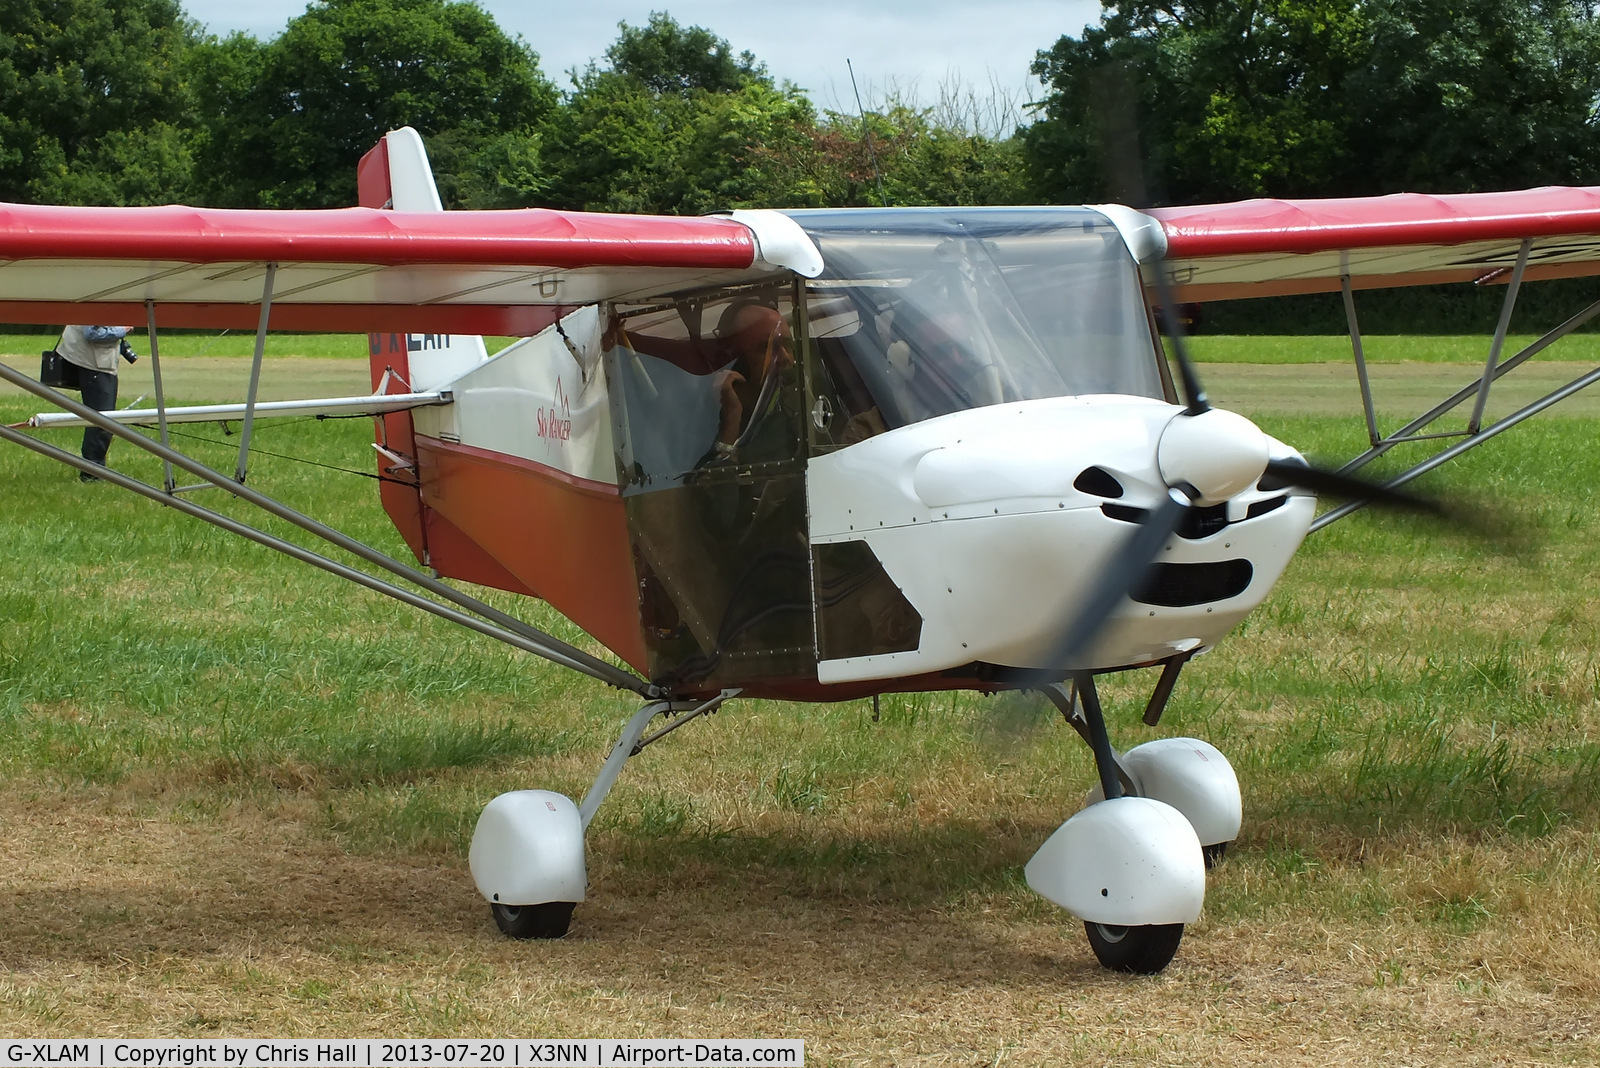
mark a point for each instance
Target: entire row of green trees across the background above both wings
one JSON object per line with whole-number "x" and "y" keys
{"x": 1166, "y": 102}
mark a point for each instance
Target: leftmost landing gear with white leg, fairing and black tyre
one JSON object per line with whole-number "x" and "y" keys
{"x": 527, "y": 853}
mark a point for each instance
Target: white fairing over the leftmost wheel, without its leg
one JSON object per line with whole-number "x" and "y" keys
{"x": 529, "y": 850}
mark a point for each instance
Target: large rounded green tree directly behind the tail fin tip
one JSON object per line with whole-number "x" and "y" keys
{"x": 287, "y": 121}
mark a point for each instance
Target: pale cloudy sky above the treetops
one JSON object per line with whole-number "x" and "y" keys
{"x": 910, "y": 46}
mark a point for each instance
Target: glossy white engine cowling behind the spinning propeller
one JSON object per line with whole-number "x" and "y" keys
{"x": 977, "y": 520}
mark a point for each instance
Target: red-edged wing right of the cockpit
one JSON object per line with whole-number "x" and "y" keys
{"x": 1258, "y": 249}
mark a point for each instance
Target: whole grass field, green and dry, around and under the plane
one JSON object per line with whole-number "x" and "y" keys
{"x": 236, "y": 802}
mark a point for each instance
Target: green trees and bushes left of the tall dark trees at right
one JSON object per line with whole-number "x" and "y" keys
{"x": 127, "y": 103}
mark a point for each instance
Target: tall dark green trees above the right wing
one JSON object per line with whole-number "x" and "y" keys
{"x": 1300, "y": 98}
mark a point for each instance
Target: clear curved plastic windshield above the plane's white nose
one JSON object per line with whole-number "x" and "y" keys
{"x": 926, "y": 313}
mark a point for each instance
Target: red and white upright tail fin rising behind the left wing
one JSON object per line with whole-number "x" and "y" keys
{"x": 396, "y": 175}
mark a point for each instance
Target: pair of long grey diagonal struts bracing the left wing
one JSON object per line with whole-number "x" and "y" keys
{"x": 500, "y": 626}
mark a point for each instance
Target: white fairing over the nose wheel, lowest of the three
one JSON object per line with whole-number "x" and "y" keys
{"x": 1127, "y": 863}
